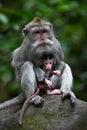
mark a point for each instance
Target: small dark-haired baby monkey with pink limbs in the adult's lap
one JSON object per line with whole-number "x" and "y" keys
{"x": 47, "y": 63}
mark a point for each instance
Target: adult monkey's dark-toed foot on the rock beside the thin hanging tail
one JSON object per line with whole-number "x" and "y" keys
{"x": 37, "y": 101}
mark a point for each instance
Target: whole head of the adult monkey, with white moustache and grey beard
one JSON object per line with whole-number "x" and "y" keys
{"x": 39, "y": 36}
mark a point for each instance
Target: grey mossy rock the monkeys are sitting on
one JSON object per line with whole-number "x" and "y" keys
{"x": 55, "y": 114}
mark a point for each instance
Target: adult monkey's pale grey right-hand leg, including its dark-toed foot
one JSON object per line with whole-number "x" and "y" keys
{"x": 66, "y": 84}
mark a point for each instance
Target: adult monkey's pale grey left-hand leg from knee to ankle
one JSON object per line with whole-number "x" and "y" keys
{"x": 28, "y": 79}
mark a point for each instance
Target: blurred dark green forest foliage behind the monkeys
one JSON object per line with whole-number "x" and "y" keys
{"x": 69, "y": 18}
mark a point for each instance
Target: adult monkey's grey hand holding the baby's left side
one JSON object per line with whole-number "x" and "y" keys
{"x": 39, "y": 74}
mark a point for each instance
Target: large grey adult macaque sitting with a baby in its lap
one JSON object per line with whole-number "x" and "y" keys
{"x": 40, "y": 39}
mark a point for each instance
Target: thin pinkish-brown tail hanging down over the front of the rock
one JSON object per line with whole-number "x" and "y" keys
{"x": 24, "y": 106}
